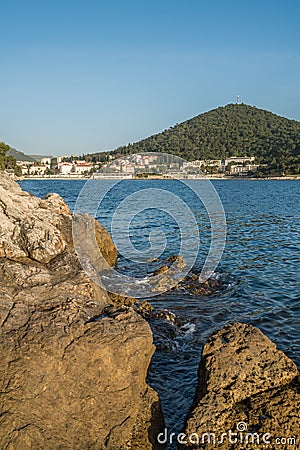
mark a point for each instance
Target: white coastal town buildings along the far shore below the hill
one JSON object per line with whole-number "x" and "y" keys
{"x": 136, "y": 166}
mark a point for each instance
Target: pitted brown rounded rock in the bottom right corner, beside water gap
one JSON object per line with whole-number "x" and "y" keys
{"x": 245, "y": 386}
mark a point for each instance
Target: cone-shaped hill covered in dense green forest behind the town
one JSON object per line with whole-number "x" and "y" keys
{"x": 232, "y": 130}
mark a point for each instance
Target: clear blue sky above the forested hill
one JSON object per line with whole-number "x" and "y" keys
{"x": 86, "y": 76}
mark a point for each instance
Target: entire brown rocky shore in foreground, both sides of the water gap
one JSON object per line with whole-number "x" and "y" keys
{"x": 74, "y": 358}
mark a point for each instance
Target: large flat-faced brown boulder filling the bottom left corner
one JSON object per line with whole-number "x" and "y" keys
{"x": 84, "y": 388}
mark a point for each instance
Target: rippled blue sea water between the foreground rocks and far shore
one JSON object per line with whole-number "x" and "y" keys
{"x": 259, "y": 267}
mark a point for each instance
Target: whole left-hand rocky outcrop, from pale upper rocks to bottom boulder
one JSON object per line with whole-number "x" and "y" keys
{"x": 69, "y": 379}
